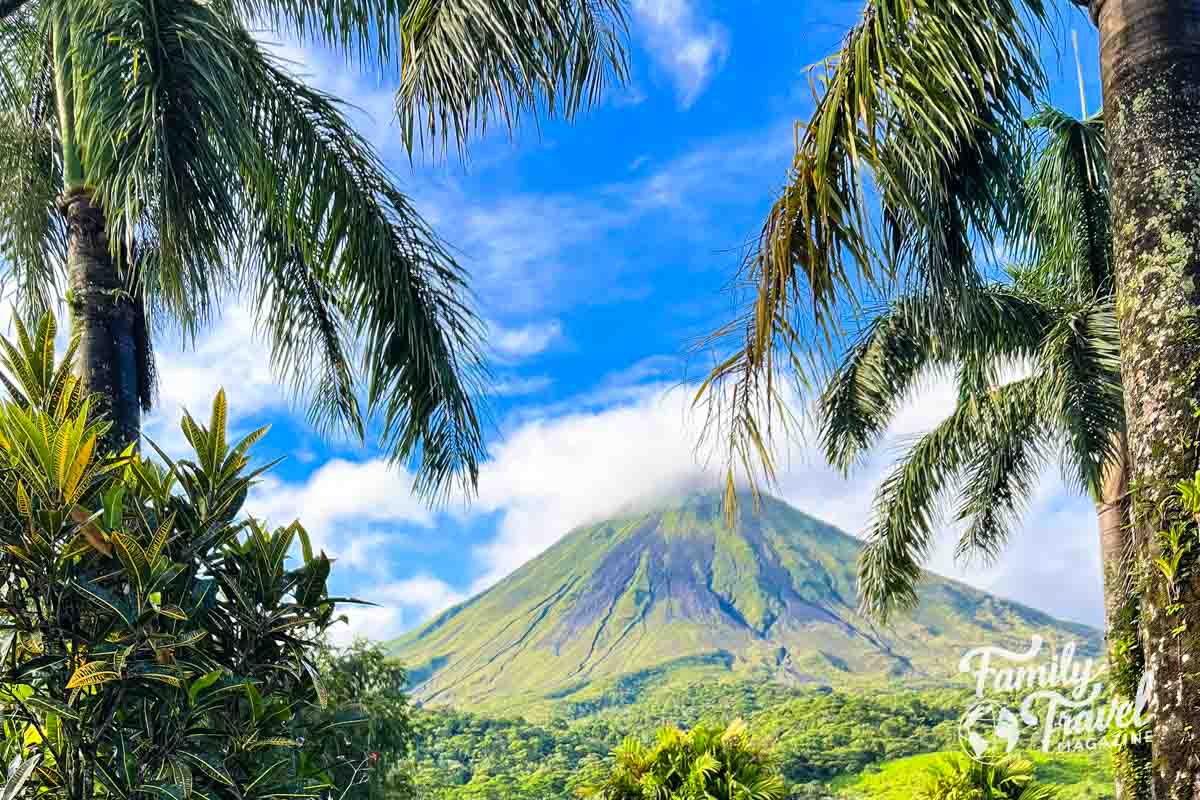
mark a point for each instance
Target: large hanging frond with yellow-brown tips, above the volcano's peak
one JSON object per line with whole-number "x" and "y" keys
{"x": 939, "y": 153}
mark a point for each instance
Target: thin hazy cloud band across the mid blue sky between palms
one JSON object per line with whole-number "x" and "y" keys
{"x": 530, "y": 251}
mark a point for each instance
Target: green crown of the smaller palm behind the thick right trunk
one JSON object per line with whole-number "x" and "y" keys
{"x": 1054, "y": 316}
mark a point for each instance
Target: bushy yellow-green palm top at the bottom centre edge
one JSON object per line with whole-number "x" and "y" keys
{"x": 706, "y": 763}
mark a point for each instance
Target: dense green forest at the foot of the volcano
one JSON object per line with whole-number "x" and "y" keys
{"x": 815, "y": 736}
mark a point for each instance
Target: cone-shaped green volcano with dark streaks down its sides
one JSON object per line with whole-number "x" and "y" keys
{"x": 674, "y": 594}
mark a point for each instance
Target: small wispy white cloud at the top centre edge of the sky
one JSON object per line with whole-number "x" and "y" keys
{"x": 689, "y": 47}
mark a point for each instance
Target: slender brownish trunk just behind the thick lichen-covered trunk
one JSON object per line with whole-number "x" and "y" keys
{"x": 1125, "y": 652}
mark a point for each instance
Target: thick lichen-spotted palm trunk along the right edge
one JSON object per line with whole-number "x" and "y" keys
{"x": 1151, "y": 71}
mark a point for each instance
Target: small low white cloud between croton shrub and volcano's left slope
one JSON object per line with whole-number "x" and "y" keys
{"x": 401, "y": 605}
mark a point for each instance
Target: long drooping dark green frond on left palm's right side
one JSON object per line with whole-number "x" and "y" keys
{"x": 347, "y": 272}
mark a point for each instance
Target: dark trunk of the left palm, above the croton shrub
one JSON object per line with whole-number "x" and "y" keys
{"x": 104, "y": 315}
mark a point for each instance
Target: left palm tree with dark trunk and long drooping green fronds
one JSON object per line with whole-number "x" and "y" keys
{"x": 155, "y": 159}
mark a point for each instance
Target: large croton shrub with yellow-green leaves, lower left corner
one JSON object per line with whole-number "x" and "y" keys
{"x": 159, "y": 642}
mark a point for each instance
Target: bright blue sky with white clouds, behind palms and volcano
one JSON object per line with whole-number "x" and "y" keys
{"x": 598, "y": 252}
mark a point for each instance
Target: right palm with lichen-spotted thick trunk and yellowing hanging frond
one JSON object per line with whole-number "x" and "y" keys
{"x": 919, "y": 122}
